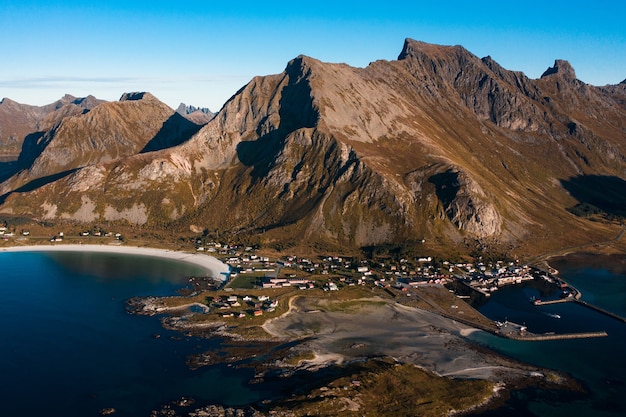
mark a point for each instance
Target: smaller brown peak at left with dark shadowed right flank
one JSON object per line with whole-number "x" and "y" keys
{"x": 137, "y": 123}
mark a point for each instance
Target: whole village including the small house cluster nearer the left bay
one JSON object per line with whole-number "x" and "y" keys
{"x": 397, "y": 277}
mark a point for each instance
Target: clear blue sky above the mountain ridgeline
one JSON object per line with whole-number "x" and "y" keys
{"x": 202, "y": 52}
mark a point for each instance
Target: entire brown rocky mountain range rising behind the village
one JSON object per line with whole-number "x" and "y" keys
{"x": 438, "y": 146}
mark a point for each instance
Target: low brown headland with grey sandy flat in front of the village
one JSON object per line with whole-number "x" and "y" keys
{"x": 339, "y": 354}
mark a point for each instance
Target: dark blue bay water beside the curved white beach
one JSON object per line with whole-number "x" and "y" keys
{"x": 69, "y": 348}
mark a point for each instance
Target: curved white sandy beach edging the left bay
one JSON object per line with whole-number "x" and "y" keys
{"x": 214, "y": 266}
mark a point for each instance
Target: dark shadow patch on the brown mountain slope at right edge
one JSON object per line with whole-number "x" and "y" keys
{"x": 597, "y": 194}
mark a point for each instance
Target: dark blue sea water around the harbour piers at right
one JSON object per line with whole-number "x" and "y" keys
{"x": 598, "y": 363}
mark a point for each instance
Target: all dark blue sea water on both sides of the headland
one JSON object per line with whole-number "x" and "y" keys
{"x": 69, "y": 348}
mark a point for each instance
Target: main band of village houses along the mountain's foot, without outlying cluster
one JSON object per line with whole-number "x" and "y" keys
{"x": 334, "y": 272}
